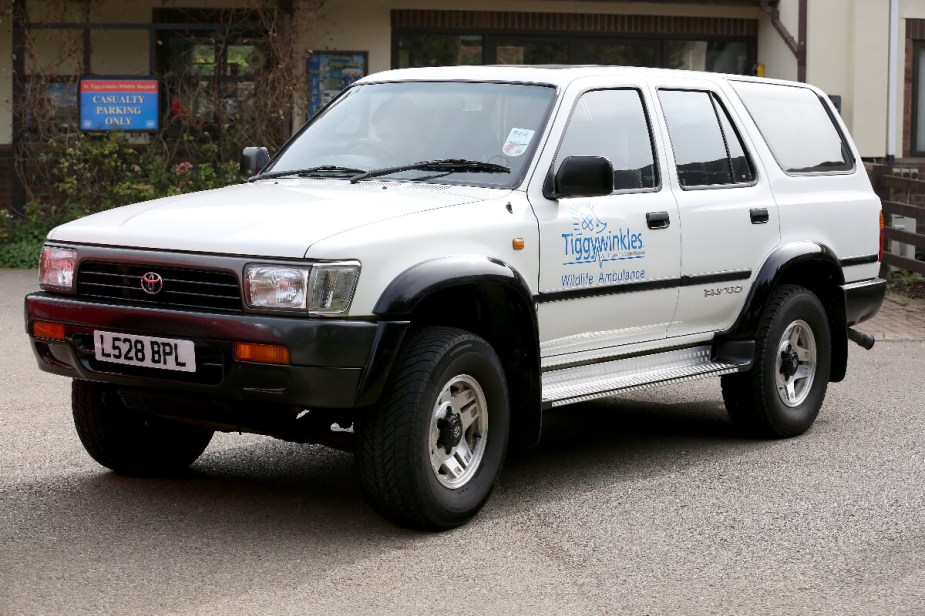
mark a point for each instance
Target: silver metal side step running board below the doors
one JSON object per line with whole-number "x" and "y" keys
{"x": 599, "y": 380}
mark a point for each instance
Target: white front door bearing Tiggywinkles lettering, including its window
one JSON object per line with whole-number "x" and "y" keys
{"x": 609, "y": 264}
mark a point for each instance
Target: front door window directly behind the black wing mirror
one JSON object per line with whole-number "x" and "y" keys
{"x": 613, "y": 124}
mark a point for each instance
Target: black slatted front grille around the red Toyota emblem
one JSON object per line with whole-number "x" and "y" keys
{"x": 182, "y": 288}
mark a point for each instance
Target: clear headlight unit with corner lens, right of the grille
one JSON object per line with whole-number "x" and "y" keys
{"x": 322, "y": 289}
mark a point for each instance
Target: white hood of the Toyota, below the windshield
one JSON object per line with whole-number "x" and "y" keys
{"x": 279, "y": 218}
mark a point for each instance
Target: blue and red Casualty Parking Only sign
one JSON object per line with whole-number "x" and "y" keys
{"x": 119, "y": 103}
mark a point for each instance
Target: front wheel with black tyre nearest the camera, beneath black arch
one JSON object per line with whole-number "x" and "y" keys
{"x": 395, "y": 453}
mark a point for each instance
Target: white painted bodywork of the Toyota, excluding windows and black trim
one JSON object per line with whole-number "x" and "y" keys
{"x": 390, "y": 226}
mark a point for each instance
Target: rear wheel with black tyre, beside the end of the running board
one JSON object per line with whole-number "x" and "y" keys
{"x": 752, "y": 399}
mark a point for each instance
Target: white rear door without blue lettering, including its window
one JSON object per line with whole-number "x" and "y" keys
{"x": 725, "y": 206}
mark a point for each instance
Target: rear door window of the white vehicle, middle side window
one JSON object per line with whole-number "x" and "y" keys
{"x": 707, "y": 149}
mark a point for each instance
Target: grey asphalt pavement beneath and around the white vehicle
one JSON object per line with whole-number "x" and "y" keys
{"x": 644, "y": 504}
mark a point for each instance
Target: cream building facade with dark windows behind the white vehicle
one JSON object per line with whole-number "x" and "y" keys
{"x": 868, "y": 54}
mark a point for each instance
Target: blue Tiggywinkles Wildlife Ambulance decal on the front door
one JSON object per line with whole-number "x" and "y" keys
{"x": 593, "y": 241}
